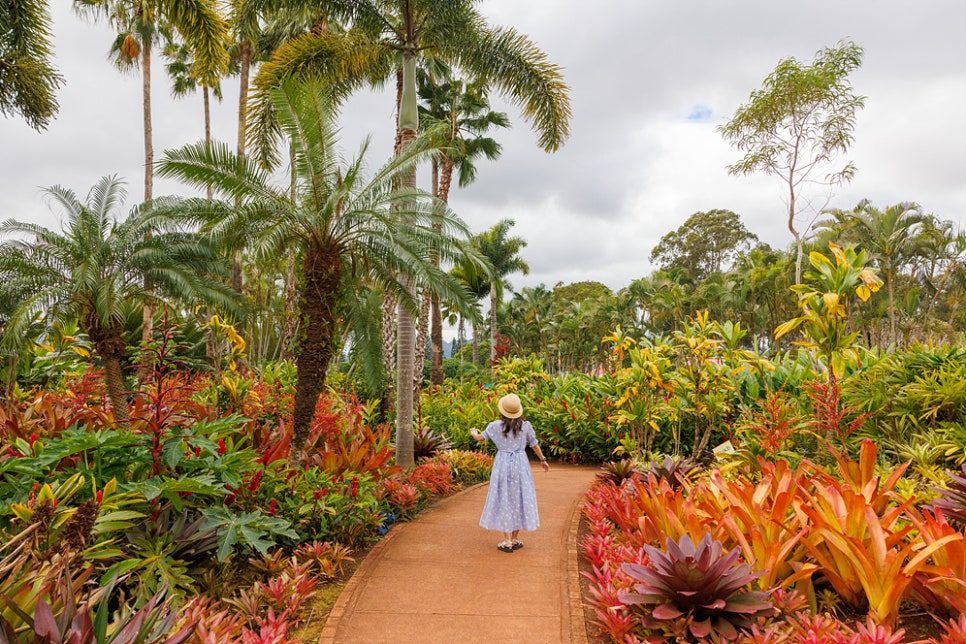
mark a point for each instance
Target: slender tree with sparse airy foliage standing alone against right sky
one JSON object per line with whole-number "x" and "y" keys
{"x": 796, "y": 125}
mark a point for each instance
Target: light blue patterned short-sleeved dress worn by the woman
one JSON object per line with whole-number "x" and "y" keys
{"x": 511, "y": 502}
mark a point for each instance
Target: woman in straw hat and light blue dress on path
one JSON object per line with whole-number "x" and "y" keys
{"x": 511, "y": 503}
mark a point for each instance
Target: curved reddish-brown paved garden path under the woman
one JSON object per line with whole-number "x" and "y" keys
{"x": 440, "y": 578}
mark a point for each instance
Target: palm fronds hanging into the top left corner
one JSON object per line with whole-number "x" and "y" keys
{"x": 28, "y": 80}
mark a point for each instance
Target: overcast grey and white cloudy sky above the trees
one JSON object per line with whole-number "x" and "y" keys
{"x": 650, "y": 81}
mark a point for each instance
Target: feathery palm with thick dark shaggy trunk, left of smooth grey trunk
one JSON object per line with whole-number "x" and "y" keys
{"x": 347, "y": 228}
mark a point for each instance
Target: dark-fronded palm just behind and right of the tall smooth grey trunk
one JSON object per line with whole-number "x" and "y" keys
{"x": 460, "y": 113}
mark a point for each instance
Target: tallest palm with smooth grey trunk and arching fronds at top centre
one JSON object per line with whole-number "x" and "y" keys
{"x": 383, "y": 36}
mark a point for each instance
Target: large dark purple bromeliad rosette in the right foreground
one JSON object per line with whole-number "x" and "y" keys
{"x": 696, "y": 590}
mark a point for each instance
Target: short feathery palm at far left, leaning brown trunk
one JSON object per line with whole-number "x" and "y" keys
{"x": 96, "y": 266}
